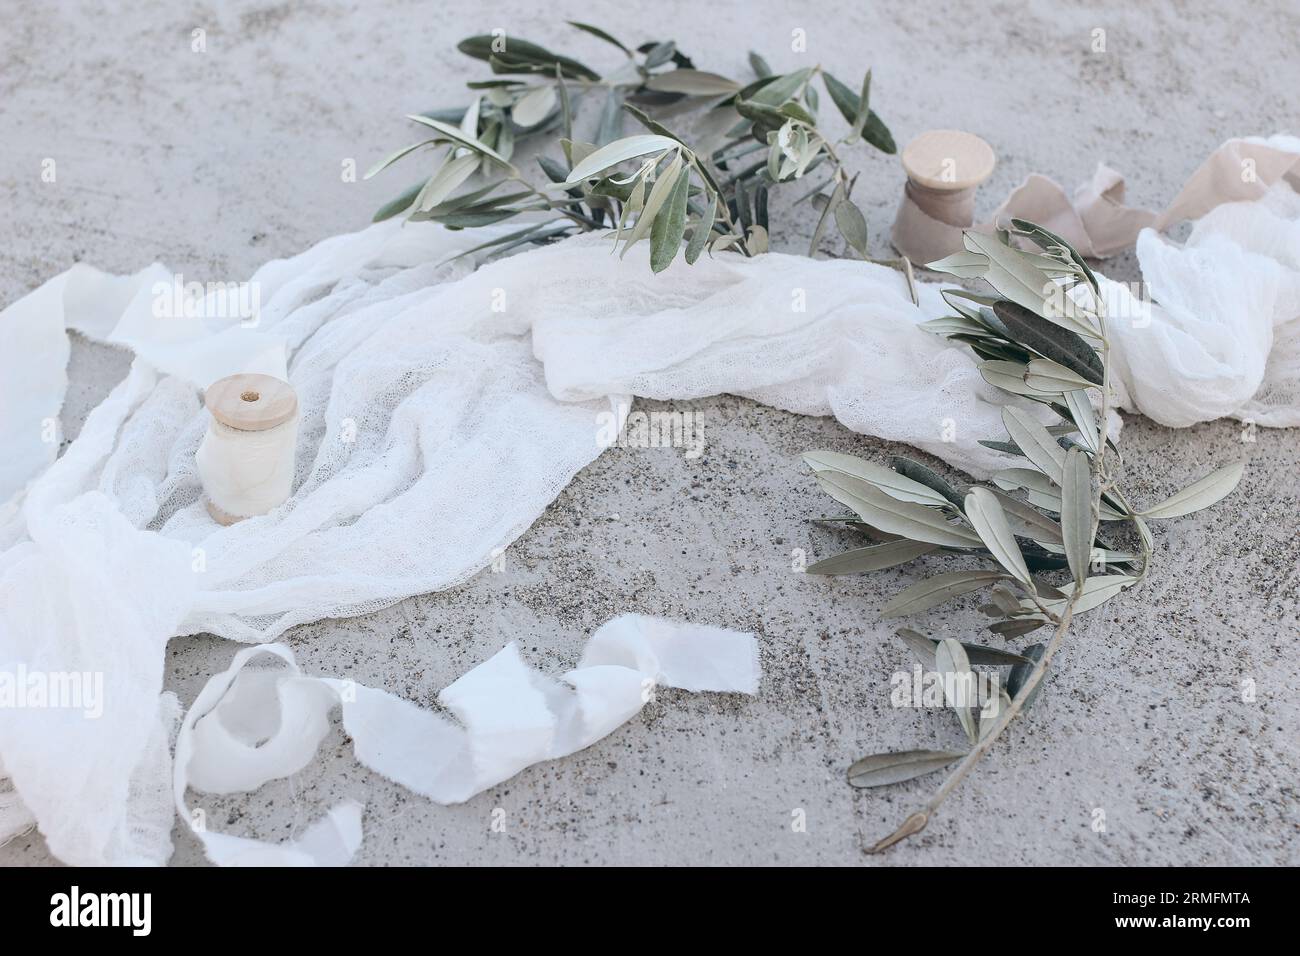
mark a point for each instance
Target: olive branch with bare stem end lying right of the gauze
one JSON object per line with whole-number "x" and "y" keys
{"x": 1042, "y": 338}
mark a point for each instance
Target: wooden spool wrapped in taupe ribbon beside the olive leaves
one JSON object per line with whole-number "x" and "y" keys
{"x": 944, "y": 170}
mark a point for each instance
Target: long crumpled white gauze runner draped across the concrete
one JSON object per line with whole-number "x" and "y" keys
{"x": 441, "y": 413}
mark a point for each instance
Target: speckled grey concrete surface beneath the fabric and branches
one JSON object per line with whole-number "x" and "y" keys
{"x": 214, "y": 162}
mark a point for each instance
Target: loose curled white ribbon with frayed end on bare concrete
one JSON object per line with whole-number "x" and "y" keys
{"x": 250, "y": 726}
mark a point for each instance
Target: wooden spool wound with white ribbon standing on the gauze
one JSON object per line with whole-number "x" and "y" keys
{"x": 246, "y": 460}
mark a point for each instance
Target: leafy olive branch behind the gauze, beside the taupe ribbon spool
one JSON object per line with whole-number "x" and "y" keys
{"x": 709, "y": 192}
